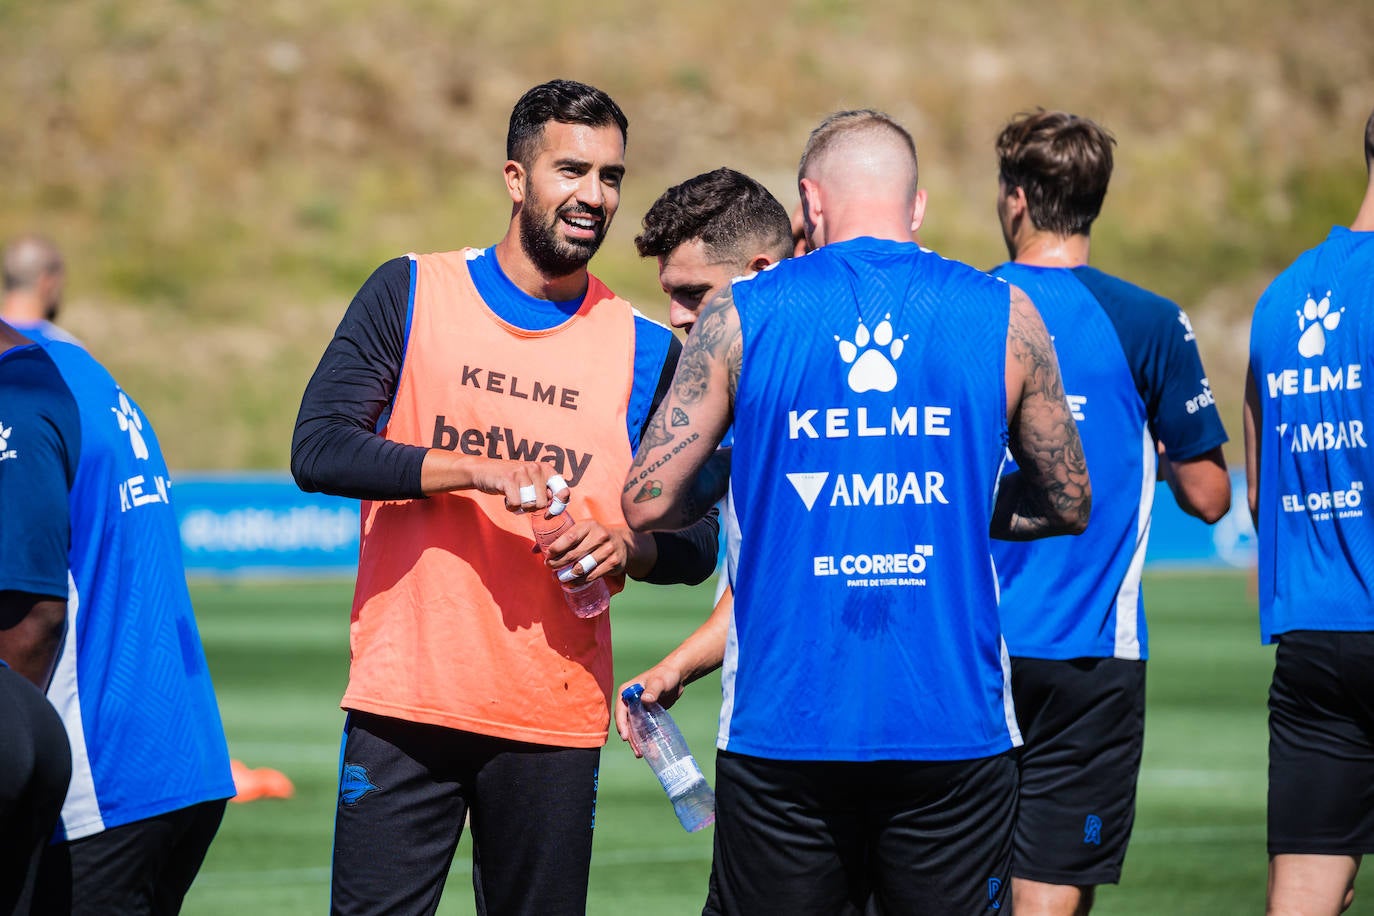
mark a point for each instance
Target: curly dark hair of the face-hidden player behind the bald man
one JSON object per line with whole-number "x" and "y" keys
{"x": 725, "y": 209}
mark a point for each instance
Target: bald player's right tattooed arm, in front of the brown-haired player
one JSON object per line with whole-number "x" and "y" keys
{"x": 1050, "y": 494}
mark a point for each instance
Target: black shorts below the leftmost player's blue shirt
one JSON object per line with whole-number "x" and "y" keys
{"x": 142, "y": 867}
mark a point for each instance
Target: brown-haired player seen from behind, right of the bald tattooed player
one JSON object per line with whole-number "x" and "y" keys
{"x": 1072, "y": 612}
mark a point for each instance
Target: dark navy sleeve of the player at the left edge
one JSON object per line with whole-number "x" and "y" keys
{"x": 41, "y": 443}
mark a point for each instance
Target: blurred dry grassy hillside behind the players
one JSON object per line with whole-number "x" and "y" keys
{"x": 223, "y": 176}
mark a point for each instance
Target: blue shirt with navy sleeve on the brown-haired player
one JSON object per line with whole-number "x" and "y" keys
{"x": 1131, "y": 374}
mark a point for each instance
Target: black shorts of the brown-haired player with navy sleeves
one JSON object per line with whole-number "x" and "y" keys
{"x": 1083, "y": 726}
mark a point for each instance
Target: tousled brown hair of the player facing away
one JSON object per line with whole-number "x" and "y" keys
{"x": 1064, "y": 165}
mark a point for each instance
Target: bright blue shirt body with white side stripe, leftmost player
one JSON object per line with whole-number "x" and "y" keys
{"x": 131, "y": 683}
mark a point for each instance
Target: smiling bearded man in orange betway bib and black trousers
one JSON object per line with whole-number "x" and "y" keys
{"x": 455, "y": 391}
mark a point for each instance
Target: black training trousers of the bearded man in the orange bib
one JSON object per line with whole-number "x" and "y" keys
{"x": 405, "y": 793}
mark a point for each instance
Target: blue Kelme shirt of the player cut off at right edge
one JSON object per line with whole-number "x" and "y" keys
{"x": 1311, "y": 355}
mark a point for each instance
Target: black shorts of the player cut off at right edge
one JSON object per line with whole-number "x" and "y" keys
{"x": 1322, "y": 745}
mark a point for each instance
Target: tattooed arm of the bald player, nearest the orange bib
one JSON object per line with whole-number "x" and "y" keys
{"x": 667, "y": 488}
